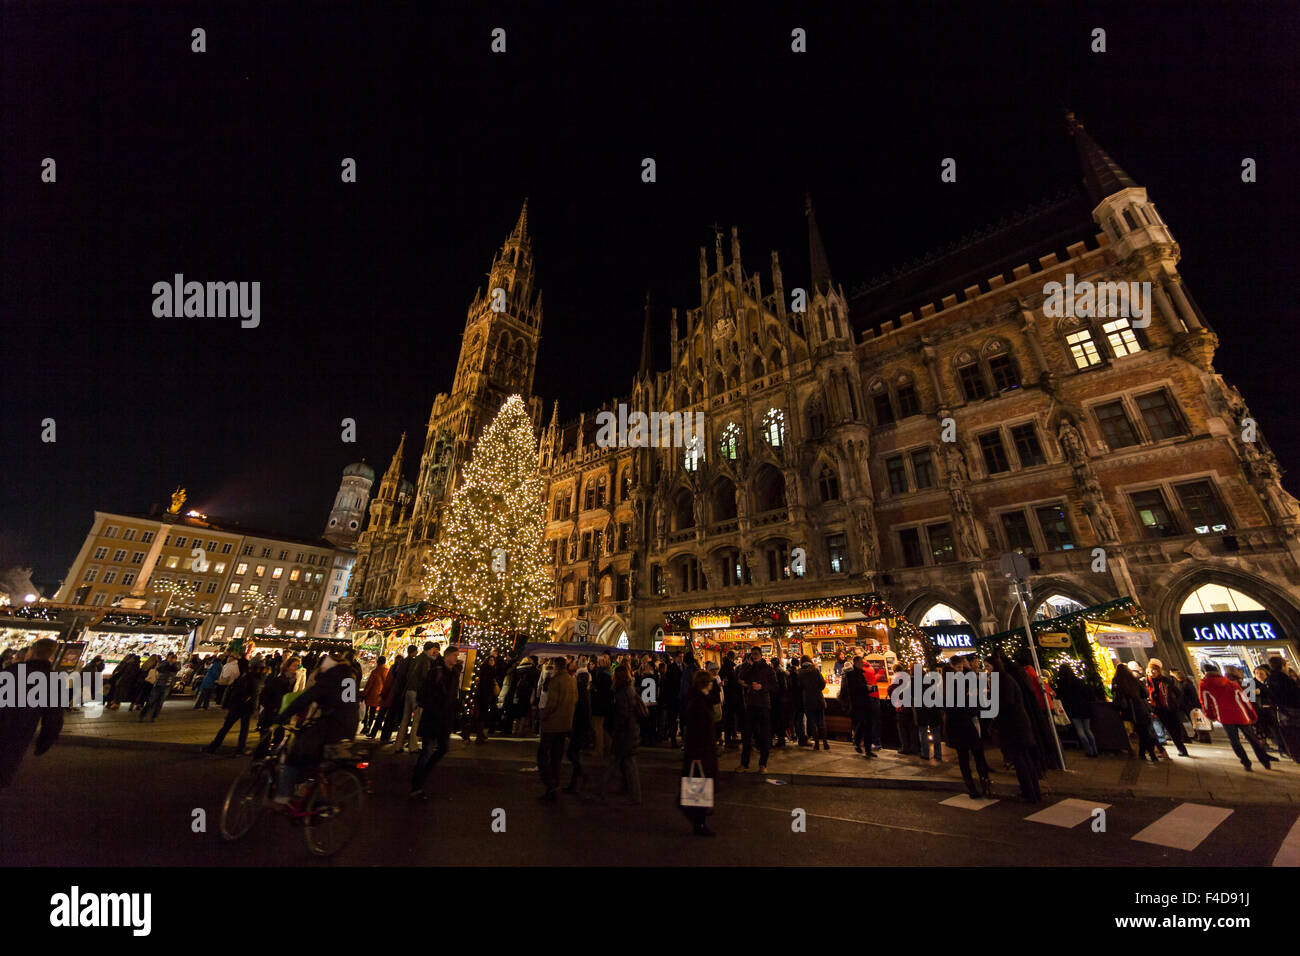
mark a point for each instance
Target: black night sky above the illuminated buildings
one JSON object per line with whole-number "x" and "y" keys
{"x": 226, "y": 166}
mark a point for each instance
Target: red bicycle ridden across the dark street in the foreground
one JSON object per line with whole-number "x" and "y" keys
{"x": 328, "y": 807}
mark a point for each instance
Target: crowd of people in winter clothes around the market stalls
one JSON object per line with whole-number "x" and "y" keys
{"x": 610, "y": 707}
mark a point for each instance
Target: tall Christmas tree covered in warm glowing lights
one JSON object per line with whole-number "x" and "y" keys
{"x": 489, "y": 564}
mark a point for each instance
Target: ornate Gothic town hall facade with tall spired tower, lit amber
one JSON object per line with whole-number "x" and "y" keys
{"x": 899, "y": 438}
